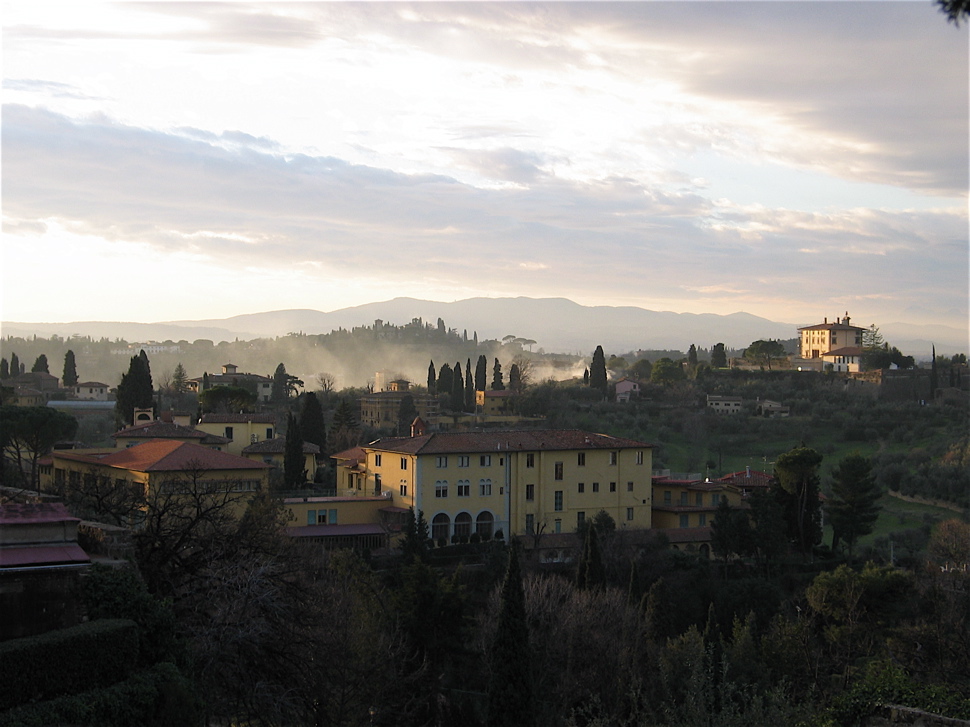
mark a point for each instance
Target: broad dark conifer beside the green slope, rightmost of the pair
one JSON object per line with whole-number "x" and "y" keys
{"x": 852, "y": 508}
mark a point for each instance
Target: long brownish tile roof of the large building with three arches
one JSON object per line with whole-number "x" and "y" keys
{"x": 492, "y": 441}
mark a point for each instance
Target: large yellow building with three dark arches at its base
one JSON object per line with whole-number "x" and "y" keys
{"x": 516, "y": 482}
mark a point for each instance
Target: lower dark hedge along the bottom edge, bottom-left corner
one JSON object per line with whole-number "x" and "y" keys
{"x": 159, "y": 696}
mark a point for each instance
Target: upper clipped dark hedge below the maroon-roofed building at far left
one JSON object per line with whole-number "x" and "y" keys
{"x": 67, "y": 661}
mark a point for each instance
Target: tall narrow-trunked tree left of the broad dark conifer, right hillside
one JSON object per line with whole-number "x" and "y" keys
{"x": 796, "y": 473}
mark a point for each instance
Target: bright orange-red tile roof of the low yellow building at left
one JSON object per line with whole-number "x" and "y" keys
{"x": 167, "y": 455}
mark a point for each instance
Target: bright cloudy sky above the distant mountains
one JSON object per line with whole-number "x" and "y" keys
{"x": 189, "y": 160}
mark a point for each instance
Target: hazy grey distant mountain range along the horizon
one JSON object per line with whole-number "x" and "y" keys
{"x": 556, "y": 324}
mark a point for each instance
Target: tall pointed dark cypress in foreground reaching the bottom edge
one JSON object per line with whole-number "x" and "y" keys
{"x": 510, "y": 680}
